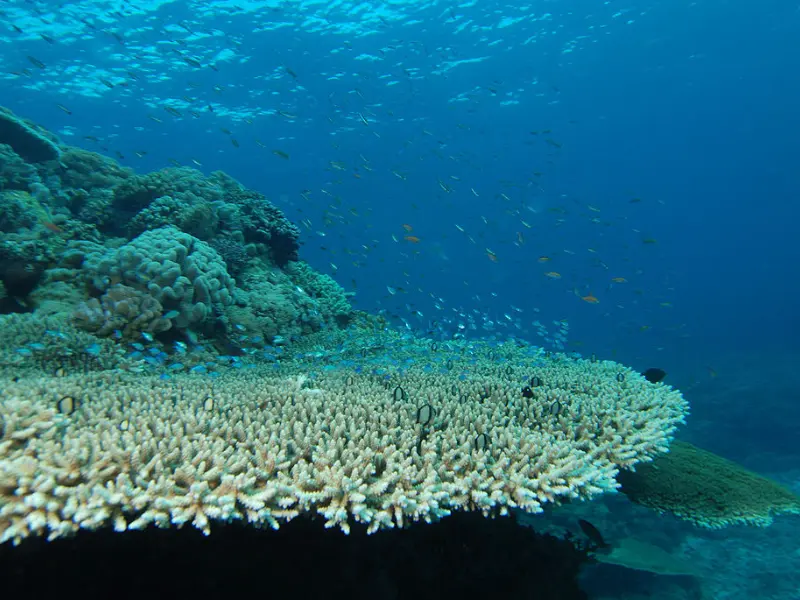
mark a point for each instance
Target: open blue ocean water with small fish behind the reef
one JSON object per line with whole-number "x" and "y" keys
{"x": 654, "y": 141}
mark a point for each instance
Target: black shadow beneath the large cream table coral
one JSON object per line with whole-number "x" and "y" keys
{"x": 464, "y": 556}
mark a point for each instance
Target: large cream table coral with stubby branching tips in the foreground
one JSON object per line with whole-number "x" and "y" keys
{"x": 269, "y": 447}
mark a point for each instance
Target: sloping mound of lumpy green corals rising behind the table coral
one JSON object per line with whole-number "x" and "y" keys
{"x": 71, "y": 229}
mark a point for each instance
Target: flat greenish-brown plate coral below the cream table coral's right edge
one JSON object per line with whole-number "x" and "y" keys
{"x": 706, "y": 489}
